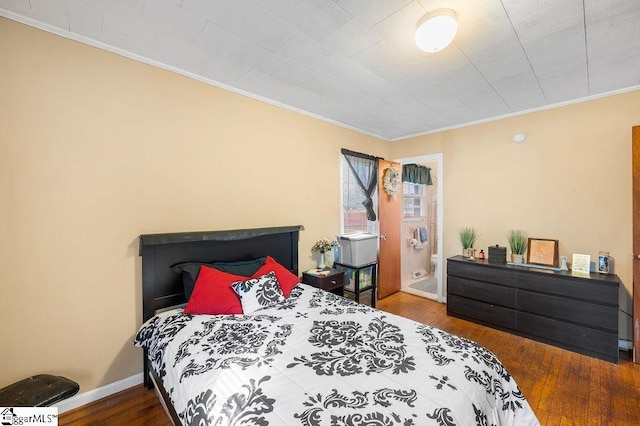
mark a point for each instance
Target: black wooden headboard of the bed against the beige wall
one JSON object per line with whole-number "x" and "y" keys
{"x": 162, "y": 288}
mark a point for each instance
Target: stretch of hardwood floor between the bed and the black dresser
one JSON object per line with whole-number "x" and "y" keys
{"x": 562, "y": 387}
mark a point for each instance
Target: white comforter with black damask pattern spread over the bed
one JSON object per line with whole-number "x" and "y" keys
{"x": 320, "y": 359}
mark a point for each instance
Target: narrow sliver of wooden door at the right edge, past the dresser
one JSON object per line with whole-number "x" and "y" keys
{"x": 635, "y": 140}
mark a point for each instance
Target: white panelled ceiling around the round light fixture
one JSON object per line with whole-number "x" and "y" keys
{"x": 354, "y": 62}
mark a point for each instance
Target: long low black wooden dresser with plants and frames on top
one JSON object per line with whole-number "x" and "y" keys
{"x": 575, "y": 313}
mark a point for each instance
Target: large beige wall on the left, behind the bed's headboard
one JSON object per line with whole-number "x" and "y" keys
{"x": 96, "y": 149}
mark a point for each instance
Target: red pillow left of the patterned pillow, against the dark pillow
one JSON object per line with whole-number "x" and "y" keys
{"x": 212, "y": 293}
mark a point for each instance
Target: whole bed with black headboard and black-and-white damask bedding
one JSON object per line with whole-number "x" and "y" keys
{"x": 310, "y": 358}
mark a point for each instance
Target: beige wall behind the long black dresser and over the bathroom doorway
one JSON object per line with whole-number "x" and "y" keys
{"x": 570, "y": 180}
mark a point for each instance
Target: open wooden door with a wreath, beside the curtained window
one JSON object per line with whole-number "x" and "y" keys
{"x": 390, "y": 216}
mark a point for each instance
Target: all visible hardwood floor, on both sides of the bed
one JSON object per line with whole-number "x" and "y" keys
{"x": 562, "y": 387}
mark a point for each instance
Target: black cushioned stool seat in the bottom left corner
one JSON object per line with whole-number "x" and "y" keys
{"x": 42, "y": 390}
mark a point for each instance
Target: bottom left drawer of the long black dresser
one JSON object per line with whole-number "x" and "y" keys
{"x": 481, "y": 312}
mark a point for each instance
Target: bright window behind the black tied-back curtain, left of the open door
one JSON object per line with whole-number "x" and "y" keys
{"x": 354, "y": 214}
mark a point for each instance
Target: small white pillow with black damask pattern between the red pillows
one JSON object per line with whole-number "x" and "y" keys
{"x": 258, "y": 293}
